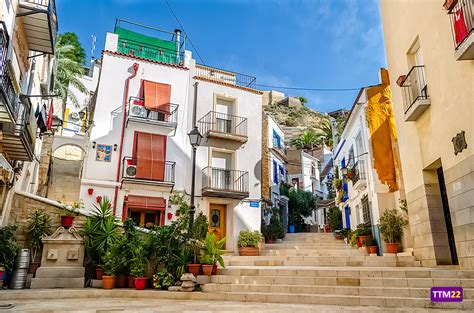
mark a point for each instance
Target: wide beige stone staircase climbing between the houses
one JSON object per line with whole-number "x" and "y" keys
{"x": 312, "y": 268}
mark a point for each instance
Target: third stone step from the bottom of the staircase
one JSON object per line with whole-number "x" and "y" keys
{"x": 354, "y": 272}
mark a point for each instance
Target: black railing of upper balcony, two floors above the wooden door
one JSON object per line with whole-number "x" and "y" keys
{"x": 223, "y": 123}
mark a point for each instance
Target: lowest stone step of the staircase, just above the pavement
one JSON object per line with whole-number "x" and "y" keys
{"x": 341, "y": 300}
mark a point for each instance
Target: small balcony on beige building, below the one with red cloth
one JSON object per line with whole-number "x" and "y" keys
{"x": 415, "y": 93}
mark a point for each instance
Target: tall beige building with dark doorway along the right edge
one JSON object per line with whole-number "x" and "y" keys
{"x": 430, "y": 49}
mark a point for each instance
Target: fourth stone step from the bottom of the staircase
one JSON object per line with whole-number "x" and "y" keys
{"x": 271, "y": 260}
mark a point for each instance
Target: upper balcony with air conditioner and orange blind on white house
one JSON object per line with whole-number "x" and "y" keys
{"x": 165, "y": 117}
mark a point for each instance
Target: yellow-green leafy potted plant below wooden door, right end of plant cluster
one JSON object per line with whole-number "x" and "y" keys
{"x": 212, "y": 254}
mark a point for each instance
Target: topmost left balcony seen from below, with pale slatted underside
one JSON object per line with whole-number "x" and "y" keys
{"x": 40, "y": 24}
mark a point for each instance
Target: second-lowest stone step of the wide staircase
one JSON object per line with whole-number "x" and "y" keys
{"x": 344, "y": 281}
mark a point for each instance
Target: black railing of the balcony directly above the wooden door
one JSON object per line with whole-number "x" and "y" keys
{"x": 214, "y": 178}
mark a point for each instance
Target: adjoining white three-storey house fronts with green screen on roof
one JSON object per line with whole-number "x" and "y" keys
{"x": 139, "y": 151}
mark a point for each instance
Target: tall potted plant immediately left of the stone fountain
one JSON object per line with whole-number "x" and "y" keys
{"x": 39, "y": 226}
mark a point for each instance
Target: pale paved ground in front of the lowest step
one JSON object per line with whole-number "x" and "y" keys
{"x": 107, "y": 305}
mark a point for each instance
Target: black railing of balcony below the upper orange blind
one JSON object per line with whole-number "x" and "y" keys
{"x": 166, "y": 113}
